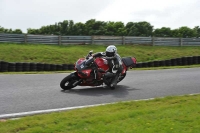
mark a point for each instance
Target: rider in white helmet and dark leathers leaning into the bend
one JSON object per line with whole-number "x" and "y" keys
{"x": 114, "y": 62}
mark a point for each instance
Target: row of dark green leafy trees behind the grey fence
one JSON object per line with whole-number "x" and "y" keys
{"x": 110, "y": 28}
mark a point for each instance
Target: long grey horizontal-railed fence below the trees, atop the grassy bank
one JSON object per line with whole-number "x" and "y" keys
{"x": 97, "y": 39}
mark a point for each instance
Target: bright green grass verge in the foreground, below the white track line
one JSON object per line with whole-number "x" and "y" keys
{"x": 161, "y": 115}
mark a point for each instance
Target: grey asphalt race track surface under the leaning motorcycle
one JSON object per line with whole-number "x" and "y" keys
{"x": 33, "y": 92}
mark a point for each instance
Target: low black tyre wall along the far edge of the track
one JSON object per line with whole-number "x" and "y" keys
{"x": 21, "y": 67}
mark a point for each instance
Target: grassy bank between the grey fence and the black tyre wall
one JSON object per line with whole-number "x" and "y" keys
{"x": 69, "y": 54}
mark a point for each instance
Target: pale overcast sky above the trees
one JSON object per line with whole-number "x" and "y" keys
{"x": 24, "y": 14}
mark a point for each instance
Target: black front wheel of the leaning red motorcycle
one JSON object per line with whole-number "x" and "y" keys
{"x": 68, "y": 81}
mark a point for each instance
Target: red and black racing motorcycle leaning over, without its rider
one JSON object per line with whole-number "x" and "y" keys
{"x": 92, "y": 71}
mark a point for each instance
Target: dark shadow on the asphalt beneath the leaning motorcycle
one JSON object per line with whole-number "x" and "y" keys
{"x": 120, "y": 91}
